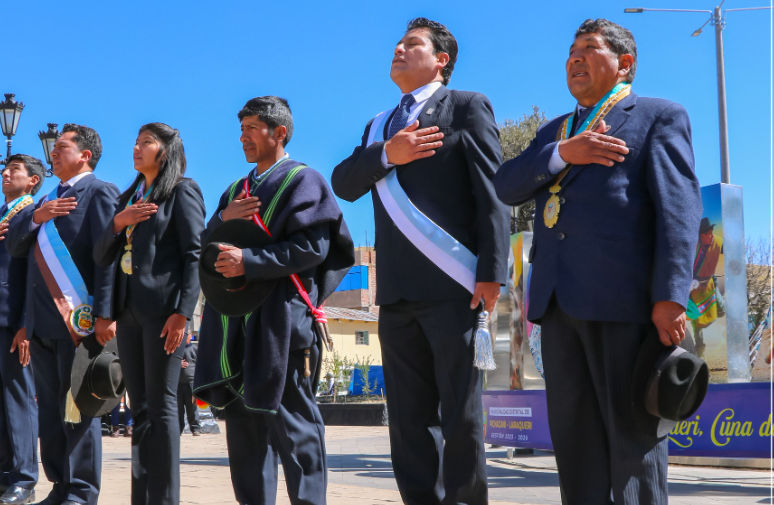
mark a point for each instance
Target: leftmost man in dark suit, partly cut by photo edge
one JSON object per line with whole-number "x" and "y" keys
{"x": 22, "y": 177}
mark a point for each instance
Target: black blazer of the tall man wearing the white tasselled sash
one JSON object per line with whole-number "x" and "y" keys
{"x": 453, "y": 188}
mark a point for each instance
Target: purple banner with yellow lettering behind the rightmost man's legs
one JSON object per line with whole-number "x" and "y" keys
{"x": 733, "y": 422}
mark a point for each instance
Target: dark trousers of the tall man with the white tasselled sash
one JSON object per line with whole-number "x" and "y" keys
{"x": 434, "y": 402}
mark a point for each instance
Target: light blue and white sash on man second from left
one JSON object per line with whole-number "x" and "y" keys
{"x": 61, "y": 264}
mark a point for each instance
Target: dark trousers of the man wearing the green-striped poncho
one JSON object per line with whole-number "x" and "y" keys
{"x": 258, "y": 441}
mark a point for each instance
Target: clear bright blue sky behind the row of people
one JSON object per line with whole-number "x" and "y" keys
{"x": 117, "y": 65}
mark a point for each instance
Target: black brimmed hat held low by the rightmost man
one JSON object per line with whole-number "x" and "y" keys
{"x": 669, "y": 384}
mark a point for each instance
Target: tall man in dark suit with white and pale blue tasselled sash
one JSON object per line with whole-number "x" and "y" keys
{"x": 443, "y": 147}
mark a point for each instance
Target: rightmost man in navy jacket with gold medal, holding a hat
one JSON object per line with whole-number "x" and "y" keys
{"x": 618, "y": 207}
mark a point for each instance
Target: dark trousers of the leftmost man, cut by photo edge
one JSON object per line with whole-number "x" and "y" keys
{"x": 18, "y": 417}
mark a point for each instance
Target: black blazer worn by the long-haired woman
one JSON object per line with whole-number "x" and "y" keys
{"x": 165, "y": 258}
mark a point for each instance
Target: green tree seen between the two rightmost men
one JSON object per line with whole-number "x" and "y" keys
{"x": 515, "y": 136}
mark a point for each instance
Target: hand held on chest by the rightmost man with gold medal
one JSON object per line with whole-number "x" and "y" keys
{"x": 593, "y": 147}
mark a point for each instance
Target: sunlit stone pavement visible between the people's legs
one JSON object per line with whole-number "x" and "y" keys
{"x": 360, "y": 473}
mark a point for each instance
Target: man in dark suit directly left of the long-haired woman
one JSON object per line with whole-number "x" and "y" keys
{"x": 82, "y": 207}
